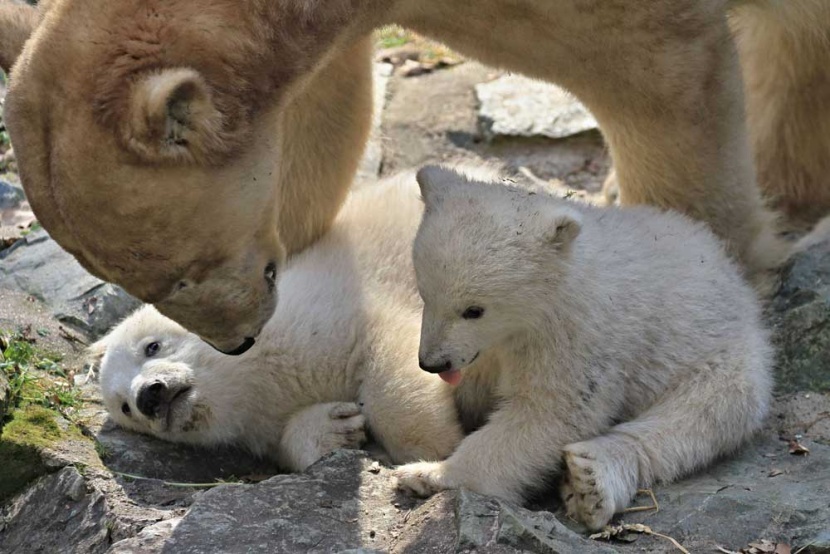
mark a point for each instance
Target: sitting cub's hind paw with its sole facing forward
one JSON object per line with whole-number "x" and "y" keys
{"x": 586, "y": 488}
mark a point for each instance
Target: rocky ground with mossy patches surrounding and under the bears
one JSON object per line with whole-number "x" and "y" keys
{"x": 72, "y": 482}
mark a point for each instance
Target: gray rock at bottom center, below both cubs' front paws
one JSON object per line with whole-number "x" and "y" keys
{"x": 339, "y": 505}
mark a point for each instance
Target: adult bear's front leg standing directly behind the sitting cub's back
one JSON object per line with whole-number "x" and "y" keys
{"x": 673, "y": 115}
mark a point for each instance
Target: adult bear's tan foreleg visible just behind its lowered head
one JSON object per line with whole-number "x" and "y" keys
{"x": 323, "y": 131}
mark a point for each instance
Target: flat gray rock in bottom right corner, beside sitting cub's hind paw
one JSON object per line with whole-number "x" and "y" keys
{"x": 746, "y": 499}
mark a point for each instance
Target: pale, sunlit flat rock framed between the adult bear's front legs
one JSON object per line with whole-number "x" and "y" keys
{"x": 514, "y": 105}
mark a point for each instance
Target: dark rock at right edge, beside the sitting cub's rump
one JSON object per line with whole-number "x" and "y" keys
{"x": 800, "y": 318}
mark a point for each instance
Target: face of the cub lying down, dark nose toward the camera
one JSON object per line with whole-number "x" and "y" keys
{"x": 149, "y": 376}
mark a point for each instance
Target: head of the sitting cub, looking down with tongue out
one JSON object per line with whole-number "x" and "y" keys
{"x": 487, "y": 259}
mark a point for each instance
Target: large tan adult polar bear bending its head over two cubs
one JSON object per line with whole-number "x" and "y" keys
{"x": 182, "y": 149}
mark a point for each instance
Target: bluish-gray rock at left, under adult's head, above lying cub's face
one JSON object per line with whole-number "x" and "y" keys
{"x": 38, "y": 266}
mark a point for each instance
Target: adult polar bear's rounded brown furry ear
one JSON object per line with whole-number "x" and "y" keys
{"x": 171, "y": 116}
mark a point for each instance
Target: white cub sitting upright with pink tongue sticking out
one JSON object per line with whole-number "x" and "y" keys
{"x": 627, "y": 344}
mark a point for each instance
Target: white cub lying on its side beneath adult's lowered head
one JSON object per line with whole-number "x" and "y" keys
{"x": 340, "y": 351}
